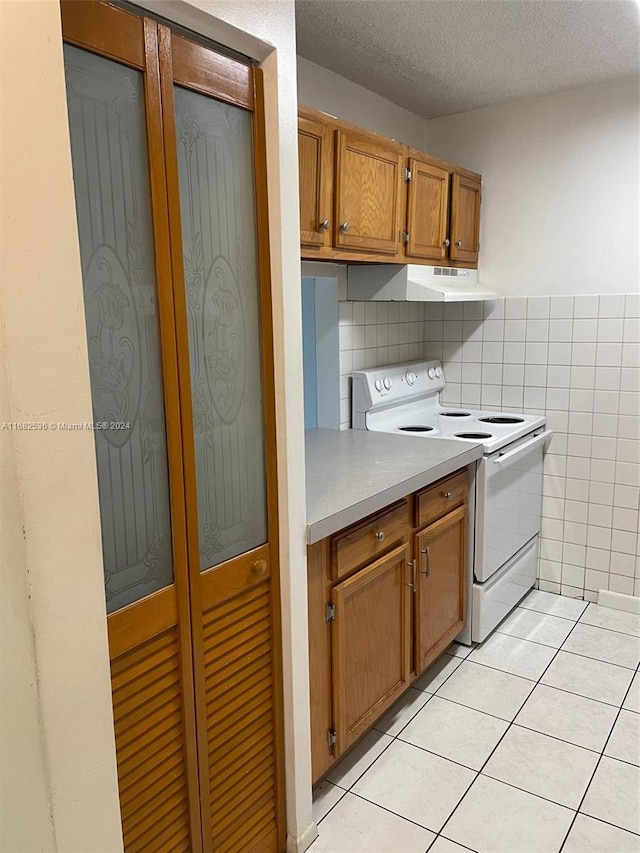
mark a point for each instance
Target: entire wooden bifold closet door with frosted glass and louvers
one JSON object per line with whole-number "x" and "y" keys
{"x": 170, "y": 176}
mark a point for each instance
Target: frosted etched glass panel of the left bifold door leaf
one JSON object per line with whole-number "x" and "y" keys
{"x": 111, "y": 176}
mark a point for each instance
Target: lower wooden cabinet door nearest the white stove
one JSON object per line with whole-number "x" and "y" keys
{"x": 441, "y": 589}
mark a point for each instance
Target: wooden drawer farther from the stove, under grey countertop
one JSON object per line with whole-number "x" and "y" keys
{"x": 368, "y": 539}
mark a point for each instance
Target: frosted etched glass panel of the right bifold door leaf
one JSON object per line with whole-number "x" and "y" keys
{"x": 217, "y": 207}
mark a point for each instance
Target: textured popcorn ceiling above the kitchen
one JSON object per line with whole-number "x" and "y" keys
{"x": 438, "y": 57}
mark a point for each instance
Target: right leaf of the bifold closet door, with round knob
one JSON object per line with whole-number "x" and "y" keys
{"x": 215, "y": 157}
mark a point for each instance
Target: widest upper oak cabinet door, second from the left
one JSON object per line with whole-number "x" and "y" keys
{"x": 368, "y": 190}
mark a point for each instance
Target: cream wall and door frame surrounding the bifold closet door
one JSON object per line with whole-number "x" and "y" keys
{"x": 47, "y": 367}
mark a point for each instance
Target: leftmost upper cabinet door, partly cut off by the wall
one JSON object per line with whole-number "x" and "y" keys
{"x": 315, "y": 173}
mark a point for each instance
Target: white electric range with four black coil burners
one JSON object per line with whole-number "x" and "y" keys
{"x": 506, "y": 489}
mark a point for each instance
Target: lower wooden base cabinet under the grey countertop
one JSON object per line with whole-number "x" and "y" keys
{"x": 378, "y": 621}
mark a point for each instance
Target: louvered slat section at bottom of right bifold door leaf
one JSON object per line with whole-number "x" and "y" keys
{"x": 240, "y": 713}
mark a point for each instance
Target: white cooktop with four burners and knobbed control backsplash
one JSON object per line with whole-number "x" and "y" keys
{"x": 404, "y": 399}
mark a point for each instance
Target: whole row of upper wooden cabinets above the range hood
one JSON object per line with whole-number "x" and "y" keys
{"x": 357, "y": 202}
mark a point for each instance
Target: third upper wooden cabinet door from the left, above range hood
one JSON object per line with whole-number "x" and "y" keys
{"x": 427, "y": 211}
